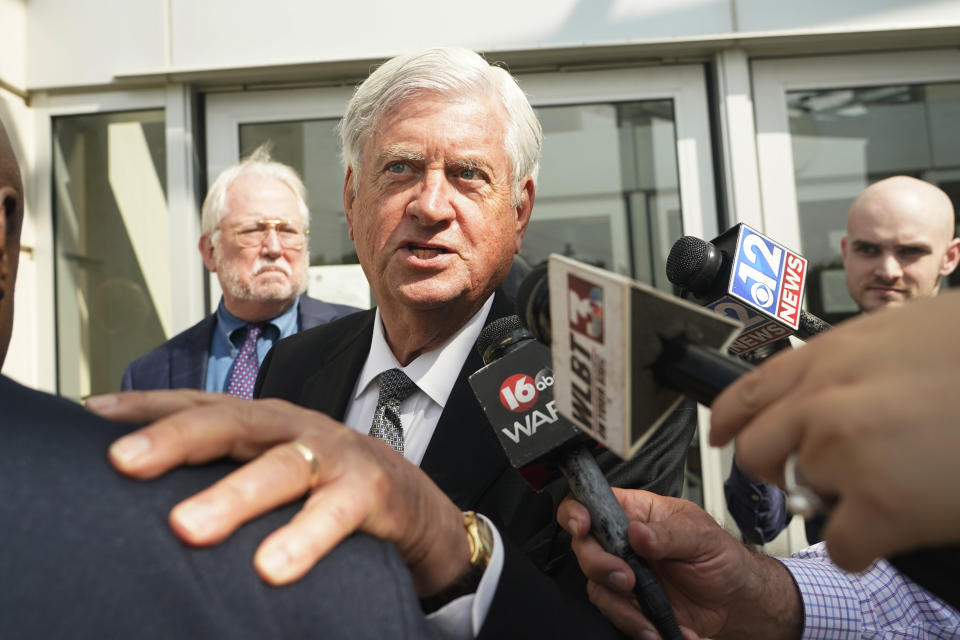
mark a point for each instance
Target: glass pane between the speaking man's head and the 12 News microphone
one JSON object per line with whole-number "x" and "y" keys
{"x": 608, "y": 192}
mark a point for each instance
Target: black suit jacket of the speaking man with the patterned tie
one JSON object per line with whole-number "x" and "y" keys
{"x": 318, "y": 369}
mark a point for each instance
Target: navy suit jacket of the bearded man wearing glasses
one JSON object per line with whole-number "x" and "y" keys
{"x": 181, "y": 361}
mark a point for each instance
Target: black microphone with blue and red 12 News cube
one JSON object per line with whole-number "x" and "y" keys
{"x": 748, "y": 276}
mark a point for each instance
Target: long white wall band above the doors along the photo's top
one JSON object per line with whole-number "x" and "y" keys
{"x": 89, "y": 43}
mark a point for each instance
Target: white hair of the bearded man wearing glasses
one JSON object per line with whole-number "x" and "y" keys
{"x": 258, "y": 163}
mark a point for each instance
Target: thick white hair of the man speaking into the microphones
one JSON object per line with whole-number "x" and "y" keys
{"x": 444, "y": 71}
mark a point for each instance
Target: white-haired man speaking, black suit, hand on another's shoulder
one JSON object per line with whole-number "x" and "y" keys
{"x": 441, "y": 151}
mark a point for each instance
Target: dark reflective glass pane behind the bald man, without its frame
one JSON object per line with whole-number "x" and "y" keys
{"x": 846, "y": 139}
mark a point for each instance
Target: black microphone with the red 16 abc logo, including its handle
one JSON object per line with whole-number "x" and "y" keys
{"x": 515, "y": 390}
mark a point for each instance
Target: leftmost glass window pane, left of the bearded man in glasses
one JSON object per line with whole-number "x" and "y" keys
{"x": 112, "y": 245}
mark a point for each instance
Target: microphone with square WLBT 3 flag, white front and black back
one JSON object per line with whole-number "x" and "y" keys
{"x": 624, "y": 353}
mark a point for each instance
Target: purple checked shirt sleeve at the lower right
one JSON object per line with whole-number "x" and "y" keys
{"x": 879, "y": 603}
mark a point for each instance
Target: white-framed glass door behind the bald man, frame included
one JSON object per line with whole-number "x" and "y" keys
{"x": 830, "y": 126}
